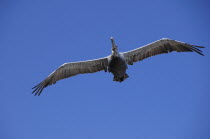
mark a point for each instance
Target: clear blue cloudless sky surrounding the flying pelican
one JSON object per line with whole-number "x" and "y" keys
{"x": 166, "y": 96}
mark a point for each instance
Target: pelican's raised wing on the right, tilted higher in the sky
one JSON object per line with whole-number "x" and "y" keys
{"x": 159, "y": 47}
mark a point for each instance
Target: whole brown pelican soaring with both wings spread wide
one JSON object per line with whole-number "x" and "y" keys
{"x": 116, "y": 63}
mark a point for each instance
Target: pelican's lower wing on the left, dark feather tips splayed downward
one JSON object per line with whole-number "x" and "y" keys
{"x": 71, "y": 69}
